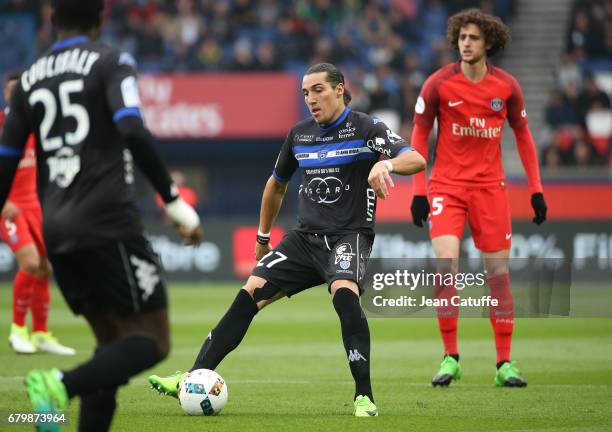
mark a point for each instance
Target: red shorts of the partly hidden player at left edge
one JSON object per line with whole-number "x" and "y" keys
{"x": 25, "y": 229}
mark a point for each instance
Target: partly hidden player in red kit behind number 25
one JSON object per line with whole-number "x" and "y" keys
{"x": 21, "y": 229}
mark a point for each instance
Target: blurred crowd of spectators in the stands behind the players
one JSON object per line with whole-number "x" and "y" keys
{"x": 386, "y": 47}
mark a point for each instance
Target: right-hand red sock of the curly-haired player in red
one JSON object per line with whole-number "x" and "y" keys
{"x": 502, "y": 315}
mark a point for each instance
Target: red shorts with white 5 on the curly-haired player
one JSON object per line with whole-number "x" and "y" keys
{"x": 486, "y": 210}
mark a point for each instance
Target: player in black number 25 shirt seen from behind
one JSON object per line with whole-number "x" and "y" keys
{"x": 80, "y": 99}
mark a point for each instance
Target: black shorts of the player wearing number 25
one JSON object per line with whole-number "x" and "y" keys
{"x": 121, "y": 277}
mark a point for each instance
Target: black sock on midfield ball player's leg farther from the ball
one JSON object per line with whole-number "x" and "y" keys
{"x": 356, "y": 338}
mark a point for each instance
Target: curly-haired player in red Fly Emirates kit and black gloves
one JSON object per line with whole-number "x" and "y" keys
{"x": 471, "y": 100}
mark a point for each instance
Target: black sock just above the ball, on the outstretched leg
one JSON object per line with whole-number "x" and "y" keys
{"x": 228, "y": 333}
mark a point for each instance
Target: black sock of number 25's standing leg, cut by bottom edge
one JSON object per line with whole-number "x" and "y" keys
{"x": 97, "y": 411}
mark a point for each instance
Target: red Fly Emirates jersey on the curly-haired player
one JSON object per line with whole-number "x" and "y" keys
{"x": 471, "y": 118}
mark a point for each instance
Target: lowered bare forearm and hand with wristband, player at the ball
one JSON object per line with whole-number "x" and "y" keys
{"x": 271, "y": 202}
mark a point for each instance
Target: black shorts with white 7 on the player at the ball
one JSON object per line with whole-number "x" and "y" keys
{"x": 304, "y": 260}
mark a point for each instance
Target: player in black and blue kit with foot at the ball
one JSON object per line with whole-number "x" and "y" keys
{"x": 337, "y": 152}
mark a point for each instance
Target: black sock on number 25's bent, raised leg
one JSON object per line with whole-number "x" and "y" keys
{"x": 112, "y": 365}
